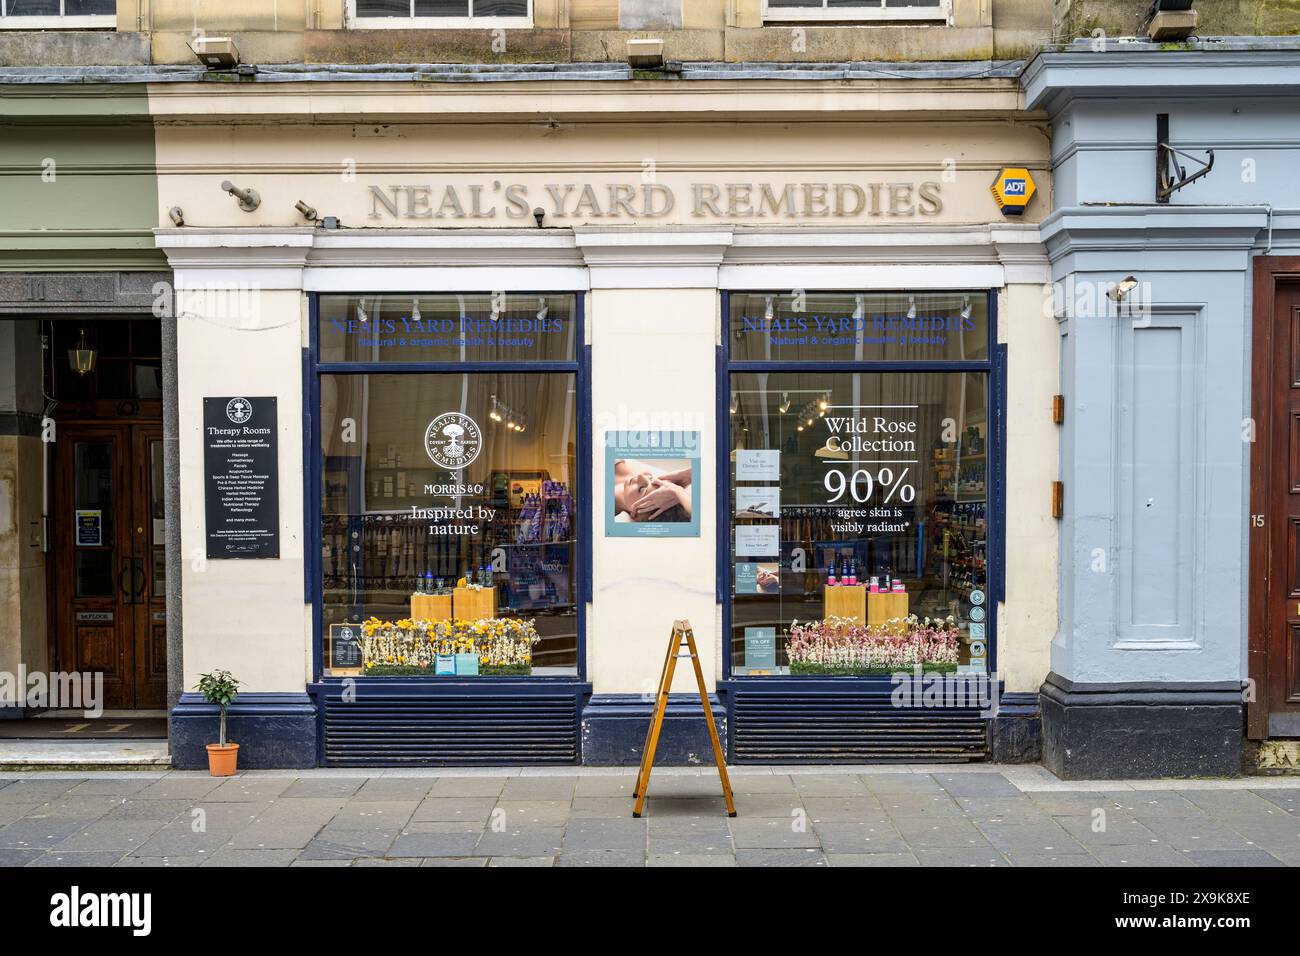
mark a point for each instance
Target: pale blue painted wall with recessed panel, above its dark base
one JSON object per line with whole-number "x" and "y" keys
{"x": 1155, "y": 452}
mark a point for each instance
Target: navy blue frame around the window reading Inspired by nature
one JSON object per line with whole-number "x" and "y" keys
{"x": 313, "y": 371}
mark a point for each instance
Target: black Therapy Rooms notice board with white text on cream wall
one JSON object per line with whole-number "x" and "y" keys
{"x": 241, "y": 477}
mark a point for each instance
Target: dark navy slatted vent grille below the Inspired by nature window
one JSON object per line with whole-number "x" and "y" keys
{"x": 450, "y": 730}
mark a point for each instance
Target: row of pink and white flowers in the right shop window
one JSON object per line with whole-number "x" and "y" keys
{"x": 839, "y": 646}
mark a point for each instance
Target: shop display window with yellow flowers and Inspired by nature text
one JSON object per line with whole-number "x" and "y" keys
{"x": 450, "y": 490}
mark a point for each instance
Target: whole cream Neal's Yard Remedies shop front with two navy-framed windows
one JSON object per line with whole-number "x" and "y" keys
{"x": 526, "y": 405}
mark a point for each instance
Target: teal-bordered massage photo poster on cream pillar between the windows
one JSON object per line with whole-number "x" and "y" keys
{"x": 652, "y": 485}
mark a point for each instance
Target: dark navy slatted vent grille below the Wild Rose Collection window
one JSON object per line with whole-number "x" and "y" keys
{"x": 857, "y": 728}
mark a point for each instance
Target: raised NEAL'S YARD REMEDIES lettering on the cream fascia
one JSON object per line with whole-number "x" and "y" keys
{"x": 623, "y": 201}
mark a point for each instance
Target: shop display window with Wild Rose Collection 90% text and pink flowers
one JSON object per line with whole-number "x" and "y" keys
{"x": 860, "y": 485}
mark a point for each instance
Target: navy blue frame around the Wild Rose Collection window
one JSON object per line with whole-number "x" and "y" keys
{"x": 995, "y": 366}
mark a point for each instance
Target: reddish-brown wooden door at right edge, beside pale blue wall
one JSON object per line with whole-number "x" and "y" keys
{"x": 1276, "y": 514}
